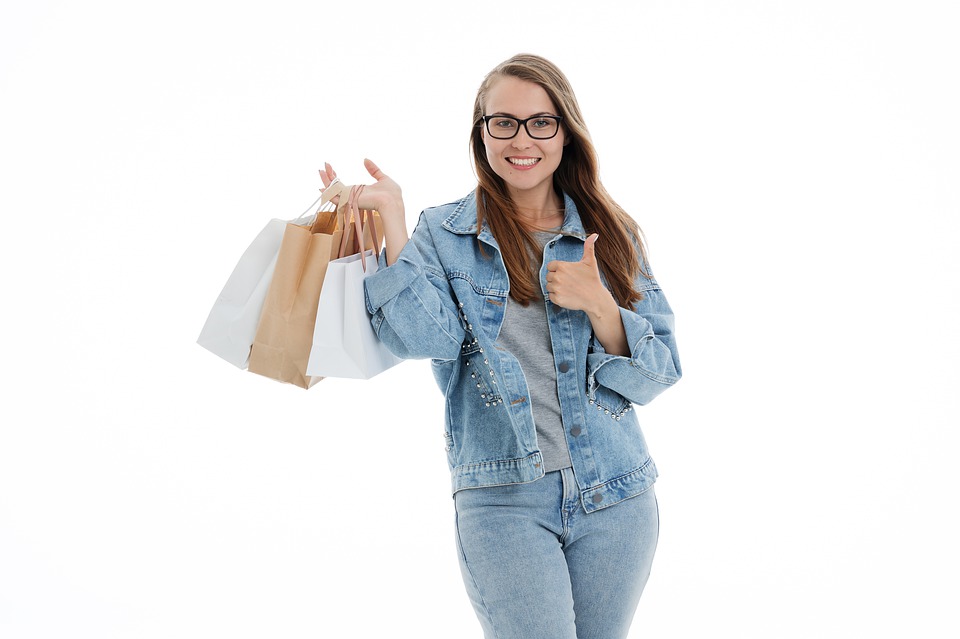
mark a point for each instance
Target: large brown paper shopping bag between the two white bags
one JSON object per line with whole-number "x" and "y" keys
{"x": 281, "y": 346}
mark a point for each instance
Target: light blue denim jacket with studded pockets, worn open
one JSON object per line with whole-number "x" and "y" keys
{"x": 445, "y": 299}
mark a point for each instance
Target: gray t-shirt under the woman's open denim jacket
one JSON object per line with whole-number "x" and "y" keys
{"x": 526, "y": 335}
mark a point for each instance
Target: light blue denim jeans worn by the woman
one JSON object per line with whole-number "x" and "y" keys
{"x": 537, "y": 566}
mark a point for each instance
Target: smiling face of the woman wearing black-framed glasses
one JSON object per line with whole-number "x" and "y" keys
{"x": 524, "y": 163}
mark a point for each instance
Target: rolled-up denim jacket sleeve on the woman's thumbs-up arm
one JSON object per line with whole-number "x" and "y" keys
{"x": 653, "y": 365}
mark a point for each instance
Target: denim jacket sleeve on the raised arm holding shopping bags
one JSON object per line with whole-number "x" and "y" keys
{"x": 411, "y": 302}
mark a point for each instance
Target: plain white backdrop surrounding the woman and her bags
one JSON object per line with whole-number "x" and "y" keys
{"x": 795, "y": 167}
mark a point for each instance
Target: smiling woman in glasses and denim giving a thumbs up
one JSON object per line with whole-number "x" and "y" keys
{"x": 535, "y": 301}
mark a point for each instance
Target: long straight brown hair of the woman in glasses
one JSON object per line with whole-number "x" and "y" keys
{"x": 578, "y": 176}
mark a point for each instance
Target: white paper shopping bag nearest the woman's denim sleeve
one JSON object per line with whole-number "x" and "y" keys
{"x": 344, "y": 342}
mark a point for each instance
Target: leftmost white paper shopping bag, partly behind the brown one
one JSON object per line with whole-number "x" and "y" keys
{"x": 232, "y": 323}
